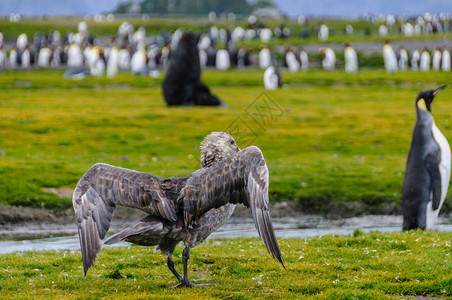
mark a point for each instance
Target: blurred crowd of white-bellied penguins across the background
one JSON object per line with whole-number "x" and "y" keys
{"x": 134, "y": 51}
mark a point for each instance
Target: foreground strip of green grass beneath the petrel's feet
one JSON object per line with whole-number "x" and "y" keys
{"x": 360, "y": 266}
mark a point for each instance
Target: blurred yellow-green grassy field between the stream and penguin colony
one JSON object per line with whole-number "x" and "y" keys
{"x": 334, "y": 142}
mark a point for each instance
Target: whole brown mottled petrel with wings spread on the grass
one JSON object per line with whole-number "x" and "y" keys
{"x": 186, "y": 209}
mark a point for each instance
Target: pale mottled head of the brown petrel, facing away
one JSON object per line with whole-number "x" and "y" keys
{"x": 217, "y": 146}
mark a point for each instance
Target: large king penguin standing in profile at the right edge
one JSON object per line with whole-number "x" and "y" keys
{"x": 428, "y": 168}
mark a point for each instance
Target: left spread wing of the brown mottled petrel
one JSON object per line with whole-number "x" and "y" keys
{"x": 103, "y": 187}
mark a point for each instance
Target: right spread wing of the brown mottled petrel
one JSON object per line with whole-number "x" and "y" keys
{"x": 241, "y": 178}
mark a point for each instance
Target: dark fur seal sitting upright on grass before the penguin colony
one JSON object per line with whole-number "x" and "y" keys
{"x": 182, "y": 85}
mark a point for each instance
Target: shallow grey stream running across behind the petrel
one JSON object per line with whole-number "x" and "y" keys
{"x": 59, "y": 234}
